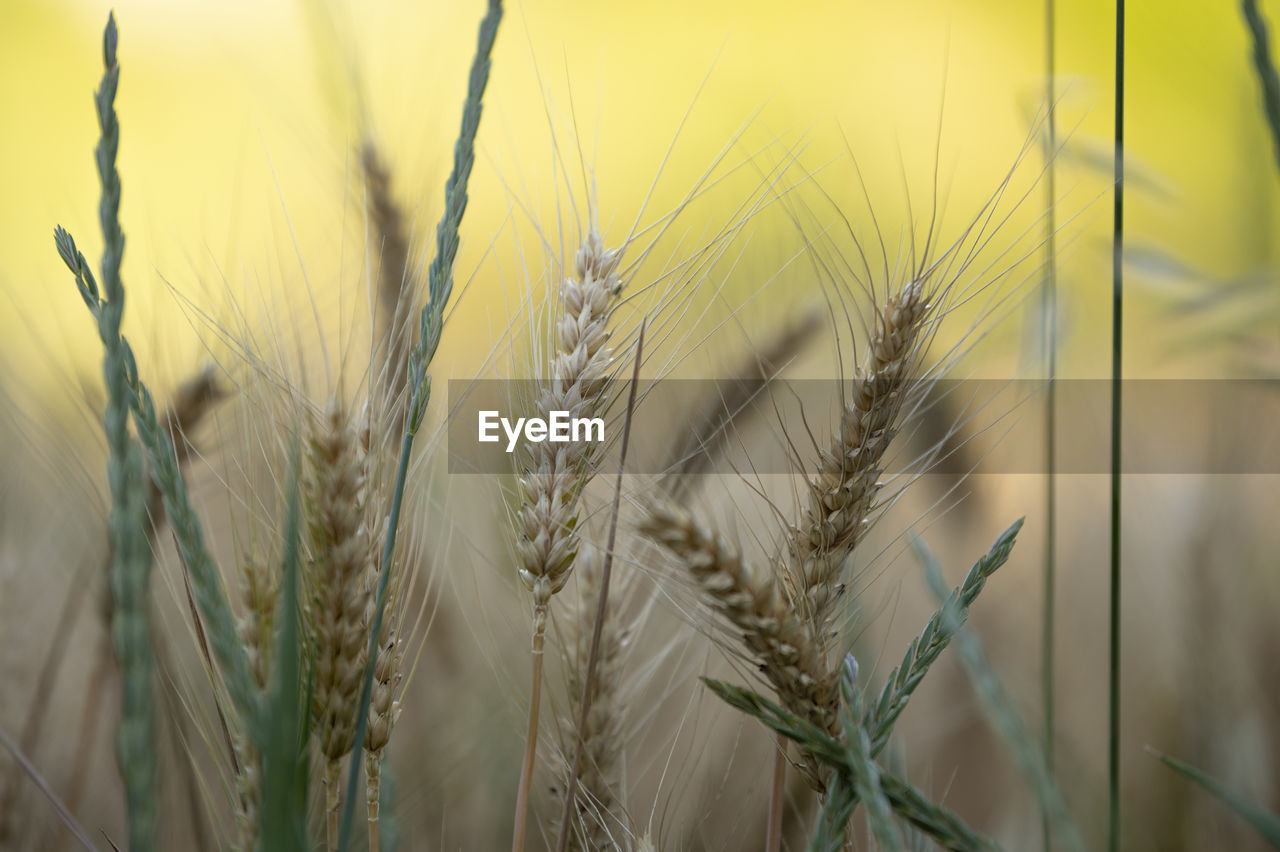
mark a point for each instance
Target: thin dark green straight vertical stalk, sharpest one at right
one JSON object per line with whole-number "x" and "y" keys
{"x": 1117, "y": 351}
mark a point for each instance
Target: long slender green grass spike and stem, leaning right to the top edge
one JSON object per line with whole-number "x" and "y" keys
{"x": 440, "y": 288}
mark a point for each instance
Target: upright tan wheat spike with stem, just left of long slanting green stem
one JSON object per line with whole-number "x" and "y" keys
{"x": 339, "y": 578}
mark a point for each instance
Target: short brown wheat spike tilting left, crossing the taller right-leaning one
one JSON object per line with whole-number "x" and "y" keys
{"x": 752, "y": 601}
